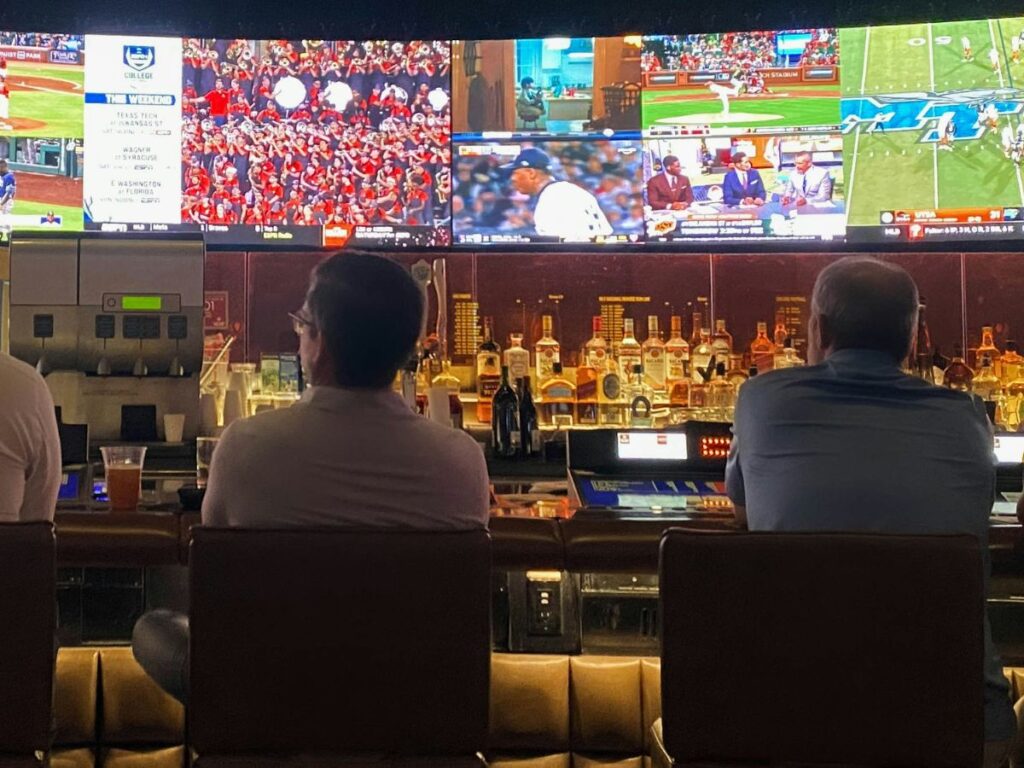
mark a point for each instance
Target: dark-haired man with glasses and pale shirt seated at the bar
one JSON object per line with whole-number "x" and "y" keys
{"x": 350, "y": 453}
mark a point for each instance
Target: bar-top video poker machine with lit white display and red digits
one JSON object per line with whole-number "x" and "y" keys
{"x": 676, "y": 474}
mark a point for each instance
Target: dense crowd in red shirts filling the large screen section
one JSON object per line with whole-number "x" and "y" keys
{"x": 365, "y": 140}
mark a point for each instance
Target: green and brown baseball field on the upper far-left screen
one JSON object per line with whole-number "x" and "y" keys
{"x": 46, "y": 100}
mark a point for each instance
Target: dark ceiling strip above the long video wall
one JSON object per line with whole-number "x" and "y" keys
{"x": 467, "y": 19}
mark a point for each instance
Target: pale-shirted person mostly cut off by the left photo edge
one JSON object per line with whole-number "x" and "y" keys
{"x": 30, "y": 447}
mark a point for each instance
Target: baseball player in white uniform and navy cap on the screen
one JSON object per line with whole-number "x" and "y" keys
{"x": 563, "y": 210}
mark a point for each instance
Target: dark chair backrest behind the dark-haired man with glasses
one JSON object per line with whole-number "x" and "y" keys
{"x": 339, "y": 642}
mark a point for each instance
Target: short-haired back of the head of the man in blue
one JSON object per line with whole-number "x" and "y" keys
{"x": 865, "y": 304}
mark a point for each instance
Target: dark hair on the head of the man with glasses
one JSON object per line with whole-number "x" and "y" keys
{"x": 369, "y": 311}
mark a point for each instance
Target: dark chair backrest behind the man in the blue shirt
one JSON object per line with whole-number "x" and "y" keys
{"x": 815, "y": 649}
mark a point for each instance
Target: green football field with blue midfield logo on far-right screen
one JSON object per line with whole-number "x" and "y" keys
{"x": 921, "y": 72}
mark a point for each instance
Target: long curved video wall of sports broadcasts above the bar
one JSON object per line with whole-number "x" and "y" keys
{"x": 900, "y": 134}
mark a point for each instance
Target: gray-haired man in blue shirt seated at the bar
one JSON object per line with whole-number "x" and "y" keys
{"x": 851, "y": 443}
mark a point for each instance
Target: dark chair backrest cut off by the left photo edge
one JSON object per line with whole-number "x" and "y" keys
{"x": 28, "y": 619}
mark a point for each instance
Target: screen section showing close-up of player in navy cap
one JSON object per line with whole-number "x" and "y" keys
{"x": 548, "y": 192}
